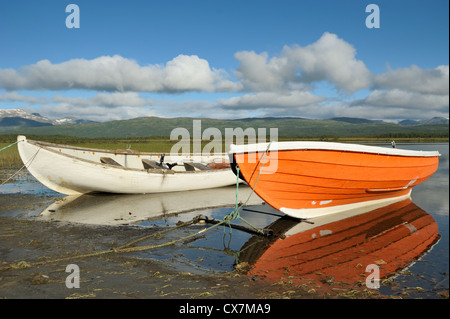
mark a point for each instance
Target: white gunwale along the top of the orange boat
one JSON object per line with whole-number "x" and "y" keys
{"x": 328, "y": 146}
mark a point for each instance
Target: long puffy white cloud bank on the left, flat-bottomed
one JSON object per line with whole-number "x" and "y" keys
{"x": 115, "y": 73}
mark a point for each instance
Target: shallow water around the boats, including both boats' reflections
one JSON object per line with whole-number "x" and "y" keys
{"x": 222, "y": 248}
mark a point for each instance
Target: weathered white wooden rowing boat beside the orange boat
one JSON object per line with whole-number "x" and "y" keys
{"x": 74, "y": 170}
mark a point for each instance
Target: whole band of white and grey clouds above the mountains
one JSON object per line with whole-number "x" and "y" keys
{"x": 281, "y": 85}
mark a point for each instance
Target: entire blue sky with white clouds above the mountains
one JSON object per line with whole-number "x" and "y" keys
{"x": 225, "y": 59}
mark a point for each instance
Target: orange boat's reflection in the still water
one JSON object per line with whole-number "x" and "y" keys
{"x": 339, "y": 251}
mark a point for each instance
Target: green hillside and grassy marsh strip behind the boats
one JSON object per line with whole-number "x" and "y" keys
{"x": 152, "y": 134}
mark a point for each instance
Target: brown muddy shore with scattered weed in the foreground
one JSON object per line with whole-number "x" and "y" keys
{"x": 29, "y": 246}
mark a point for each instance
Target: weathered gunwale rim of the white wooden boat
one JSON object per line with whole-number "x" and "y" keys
{"x": 47, "y": 146}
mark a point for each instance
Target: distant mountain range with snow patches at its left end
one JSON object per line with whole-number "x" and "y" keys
{"x": 20, "y": 122}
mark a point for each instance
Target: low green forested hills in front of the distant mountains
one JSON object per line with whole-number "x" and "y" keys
{"x": 287, "y": 127}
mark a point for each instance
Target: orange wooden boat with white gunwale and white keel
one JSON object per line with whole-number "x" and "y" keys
{"x": 310, "y": 179}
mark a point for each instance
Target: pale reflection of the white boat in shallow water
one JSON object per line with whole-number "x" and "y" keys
{"x": 120, "y": 209}
